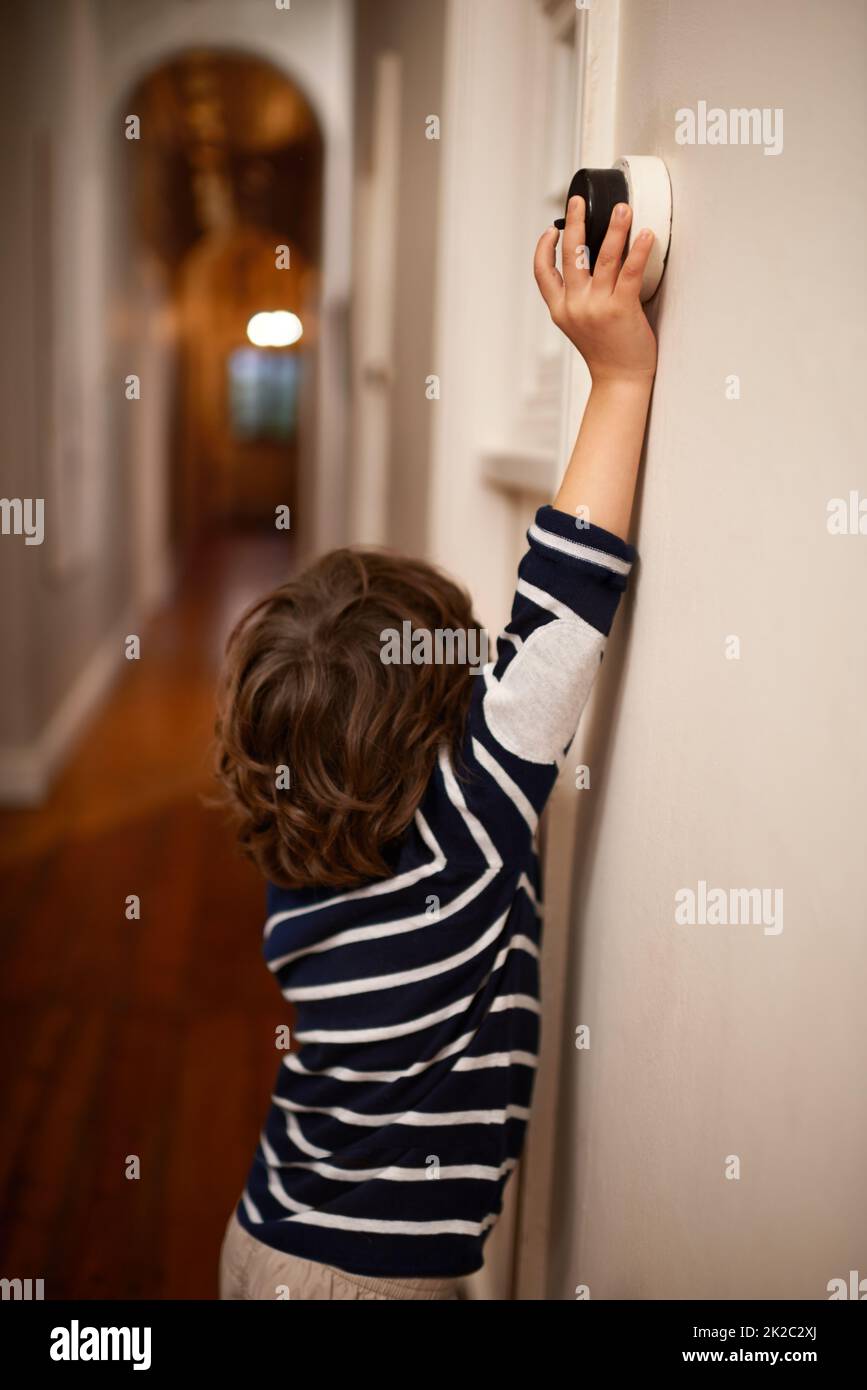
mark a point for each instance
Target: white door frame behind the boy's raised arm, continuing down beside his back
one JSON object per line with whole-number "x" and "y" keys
{"x": 513, "y": 394}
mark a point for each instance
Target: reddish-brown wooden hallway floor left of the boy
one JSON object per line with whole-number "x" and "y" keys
{"x": 154, "y": 1038}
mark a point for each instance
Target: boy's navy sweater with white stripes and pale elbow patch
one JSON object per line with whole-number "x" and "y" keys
{"x": 394, "y": 1129}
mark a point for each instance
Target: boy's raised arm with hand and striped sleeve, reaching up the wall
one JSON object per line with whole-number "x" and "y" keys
{"x": 576, "y": 569}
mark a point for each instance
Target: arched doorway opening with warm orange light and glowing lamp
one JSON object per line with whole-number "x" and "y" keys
{"x": 226, "y": 211}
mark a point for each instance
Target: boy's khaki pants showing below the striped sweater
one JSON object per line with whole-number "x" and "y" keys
{"x": 251, "y": 1270}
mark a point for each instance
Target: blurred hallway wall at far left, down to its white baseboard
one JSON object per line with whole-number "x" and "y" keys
{"x": 67, "y": 601}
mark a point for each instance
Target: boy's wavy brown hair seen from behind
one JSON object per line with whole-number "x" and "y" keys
{"x": 305, "y": 689}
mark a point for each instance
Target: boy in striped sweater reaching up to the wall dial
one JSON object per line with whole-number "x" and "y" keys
{"x": 404, "y": 886}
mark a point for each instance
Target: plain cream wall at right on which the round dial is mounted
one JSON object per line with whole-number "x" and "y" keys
{"x": 719, "y": 1040}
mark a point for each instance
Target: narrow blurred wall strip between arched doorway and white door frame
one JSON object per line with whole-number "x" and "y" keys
{"x": 399, "y": 83}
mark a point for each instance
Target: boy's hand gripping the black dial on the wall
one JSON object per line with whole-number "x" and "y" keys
{"x": 600, "y": 313}
